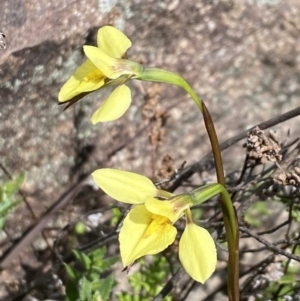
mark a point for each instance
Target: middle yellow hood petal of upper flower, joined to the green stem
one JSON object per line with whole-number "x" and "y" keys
{"x": 113, "y": 68}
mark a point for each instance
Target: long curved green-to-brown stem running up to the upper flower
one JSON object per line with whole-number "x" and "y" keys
{"x": 230, "y": 220}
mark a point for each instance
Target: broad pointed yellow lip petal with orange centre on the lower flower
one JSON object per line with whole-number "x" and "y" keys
{"x": 144, "y": 234}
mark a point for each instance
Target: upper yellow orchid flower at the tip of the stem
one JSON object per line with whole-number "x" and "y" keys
{"x": 104, "y": 67}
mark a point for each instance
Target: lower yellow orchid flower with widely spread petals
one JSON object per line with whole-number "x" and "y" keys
{"x": 148, "y": 228}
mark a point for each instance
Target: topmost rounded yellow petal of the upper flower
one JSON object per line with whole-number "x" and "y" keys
{"x": 112, "y": 41}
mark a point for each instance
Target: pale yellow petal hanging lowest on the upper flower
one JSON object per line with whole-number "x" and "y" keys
{"x": 114, "y": 106}
